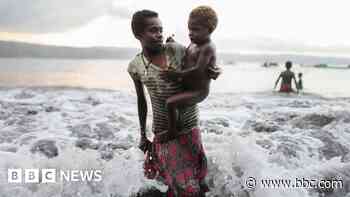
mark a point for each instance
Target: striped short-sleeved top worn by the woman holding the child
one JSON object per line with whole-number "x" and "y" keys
{"x": 160, "y": 88}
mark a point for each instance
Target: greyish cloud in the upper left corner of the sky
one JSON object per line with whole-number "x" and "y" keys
{"x": 47, "y": 16}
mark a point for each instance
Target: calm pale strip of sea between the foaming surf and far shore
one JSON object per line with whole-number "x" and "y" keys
{"x": 242, "y": 77}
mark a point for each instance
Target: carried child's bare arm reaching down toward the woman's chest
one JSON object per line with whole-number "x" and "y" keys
{"x": 205, "y": 55}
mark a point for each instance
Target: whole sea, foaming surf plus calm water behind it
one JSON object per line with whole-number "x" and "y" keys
{"x": 248, "y": 131}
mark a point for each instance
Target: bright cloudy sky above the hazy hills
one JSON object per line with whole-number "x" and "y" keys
{"x": 245, "y": 26}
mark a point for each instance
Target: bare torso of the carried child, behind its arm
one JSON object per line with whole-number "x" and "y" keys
{"x": 198, "y": 80}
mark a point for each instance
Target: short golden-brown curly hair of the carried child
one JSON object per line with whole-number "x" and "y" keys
{"x": 207, "y": 15}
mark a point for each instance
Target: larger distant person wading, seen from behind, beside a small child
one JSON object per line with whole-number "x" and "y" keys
{"x": 287, "y": 76}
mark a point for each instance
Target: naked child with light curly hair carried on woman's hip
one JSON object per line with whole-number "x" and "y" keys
{"x": 198, "y": 62}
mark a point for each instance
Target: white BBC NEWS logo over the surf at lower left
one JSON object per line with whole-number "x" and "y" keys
{"x": 52, "y": 175}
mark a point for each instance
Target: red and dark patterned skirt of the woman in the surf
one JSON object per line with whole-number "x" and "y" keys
{"x": 180, "y": 163}
